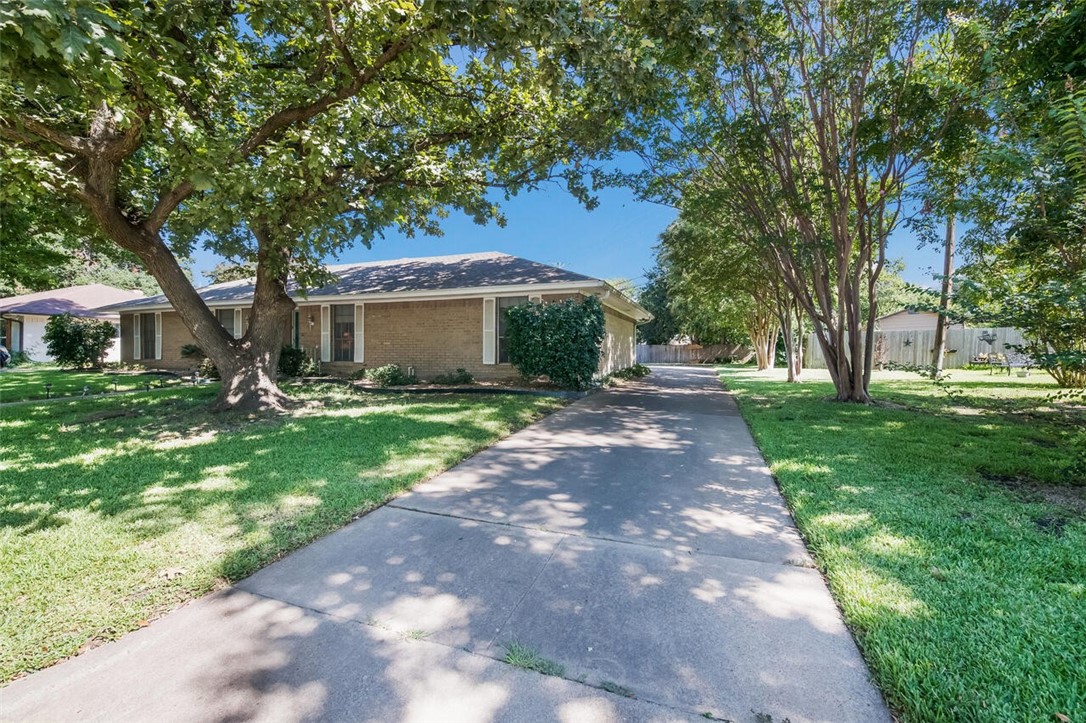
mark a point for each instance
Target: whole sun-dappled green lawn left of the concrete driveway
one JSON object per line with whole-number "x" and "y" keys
{"x": 117, "y": 510}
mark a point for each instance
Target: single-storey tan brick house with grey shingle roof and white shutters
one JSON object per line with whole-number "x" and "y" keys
{"x": 435, "y": 315}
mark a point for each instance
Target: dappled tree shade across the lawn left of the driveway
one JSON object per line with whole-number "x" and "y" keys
{"x": 165, "y": 463}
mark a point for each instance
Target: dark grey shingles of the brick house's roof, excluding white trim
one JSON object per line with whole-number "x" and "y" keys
{"x": 430, "y": 274}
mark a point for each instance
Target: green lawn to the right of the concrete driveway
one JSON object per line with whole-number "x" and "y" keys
{"x": 952, "y": 531}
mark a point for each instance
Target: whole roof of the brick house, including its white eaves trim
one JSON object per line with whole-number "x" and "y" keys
{"x": 412, "y": 278}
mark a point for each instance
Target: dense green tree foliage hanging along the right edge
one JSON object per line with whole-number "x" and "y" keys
{"x": 1029, "y": 205}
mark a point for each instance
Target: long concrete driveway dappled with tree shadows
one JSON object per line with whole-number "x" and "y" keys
{"x": 635, "y": 538}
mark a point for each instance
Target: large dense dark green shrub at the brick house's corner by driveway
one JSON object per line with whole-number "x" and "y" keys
{"x": 560, "y": 340}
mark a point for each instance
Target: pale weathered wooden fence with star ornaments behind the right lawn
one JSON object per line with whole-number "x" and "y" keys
{"x": 916, "y": 347}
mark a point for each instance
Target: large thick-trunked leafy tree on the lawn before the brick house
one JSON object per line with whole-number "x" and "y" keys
{"x": 277, "y": 133}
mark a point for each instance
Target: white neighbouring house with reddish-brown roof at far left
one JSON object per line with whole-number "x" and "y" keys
{"x": 23, "y": 319}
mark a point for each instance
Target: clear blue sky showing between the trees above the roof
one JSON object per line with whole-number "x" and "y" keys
{"x": 614, "y": 240}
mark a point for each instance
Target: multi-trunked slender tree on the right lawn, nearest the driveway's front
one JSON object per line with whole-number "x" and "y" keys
{"x": 811, "y": 123}
